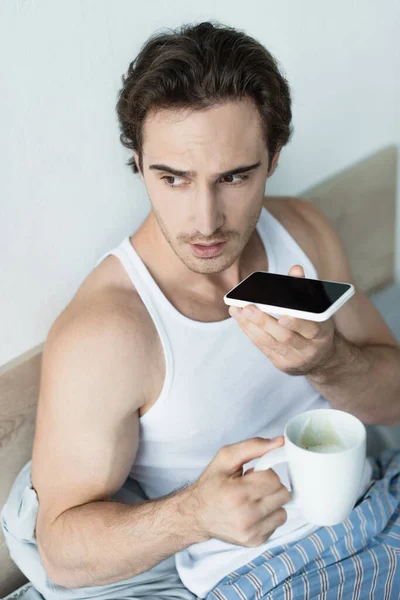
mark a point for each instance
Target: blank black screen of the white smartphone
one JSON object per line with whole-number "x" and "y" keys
{"x": 298, "y": 293}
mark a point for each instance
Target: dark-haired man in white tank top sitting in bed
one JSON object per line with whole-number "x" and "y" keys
{"x": 146, "y": 373}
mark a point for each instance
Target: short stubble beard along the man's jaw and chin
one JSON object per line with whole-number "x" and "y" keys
{"x": 210, "y": 265}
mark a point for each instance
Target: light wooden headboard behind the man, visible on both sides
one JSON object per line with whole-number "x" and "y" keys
{"x": 359, "y": 201}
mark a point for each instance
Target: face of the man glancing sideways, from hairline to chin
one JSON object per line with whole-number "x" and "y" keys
{"x": 202, "y": 206}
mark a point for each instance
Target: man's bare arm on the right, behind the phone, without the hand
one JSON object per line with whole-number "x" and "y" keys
{"x": 363, "y": 373}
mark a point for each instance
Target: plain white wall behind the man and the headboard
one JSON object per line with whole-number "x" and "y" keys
{"x": 65, "y": 194}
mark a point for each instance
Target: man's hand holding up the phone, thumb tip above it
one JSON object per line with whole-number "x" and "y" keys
{"x": 295, "y": 346}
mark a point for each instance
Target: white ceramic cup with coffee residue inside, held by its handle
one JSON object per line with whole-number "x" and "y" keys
{"x": 325, "y": 485}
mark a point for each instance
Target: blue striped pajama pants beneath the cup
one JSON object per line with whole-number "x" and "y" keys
{"x": 357, "y": 559}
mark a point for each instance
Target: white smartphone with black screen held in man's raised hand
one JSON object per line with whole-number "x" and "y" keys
{"x": 299, "y": 297}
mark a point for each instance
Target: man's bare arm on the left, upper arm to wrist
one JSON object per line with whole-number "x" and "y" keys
{"x": 85, "y": 443}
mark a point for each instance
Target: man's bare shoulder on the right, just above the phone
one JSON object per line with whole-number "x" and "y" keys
{"x": 314, "y": 233}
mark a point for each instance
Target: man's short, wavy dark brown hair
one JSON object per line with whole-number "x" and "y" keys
{"x": 196, "y": 67}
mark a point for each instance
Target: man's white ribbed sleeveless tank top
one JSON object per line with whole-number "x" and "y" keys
{"x": 219, "y": 389}
